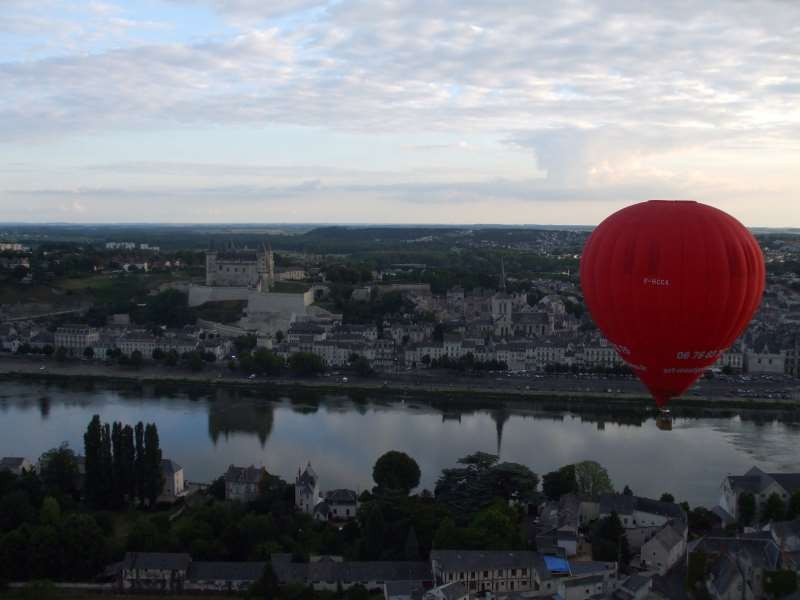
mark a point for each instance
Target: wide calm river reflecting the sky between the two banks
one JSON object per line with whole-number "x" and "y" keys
{"x": 342, "y": 437}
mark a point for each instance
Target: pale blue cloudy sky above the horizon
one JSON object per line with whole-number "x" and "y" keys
{"x": 406, "y": 111}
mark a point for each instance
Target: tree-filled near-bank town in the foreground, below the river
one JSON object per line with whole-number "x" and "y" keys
{"x": 488, "y": 530}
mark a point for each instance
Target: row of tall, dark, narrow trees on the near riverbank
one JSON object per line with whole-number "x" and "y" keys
{"x": 123, "y": 464}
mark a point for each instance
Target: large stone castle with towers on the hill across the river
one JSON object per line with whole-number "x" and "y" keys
{"x": 241, "y": 267}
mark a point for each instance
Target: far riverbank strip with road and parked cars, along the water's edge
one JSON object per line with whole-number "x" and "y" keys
{"x": 559, "y": 392}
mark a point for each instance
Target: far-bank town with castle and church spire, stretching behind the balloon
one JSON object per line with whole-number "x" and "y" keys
{"x": 519, "y": 309}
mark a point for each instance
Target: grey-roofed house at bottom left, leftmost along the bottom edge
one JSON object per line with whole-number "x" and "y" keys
{"x": 153, "y": 571}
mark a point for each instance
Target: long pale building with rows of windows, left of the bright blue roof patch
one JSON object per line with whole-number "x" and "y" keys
{"x": 492, "y": 571}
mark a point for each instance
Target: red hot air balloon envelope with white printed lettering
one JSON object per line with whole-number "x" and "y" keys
{"x": 671, "y": 284}
